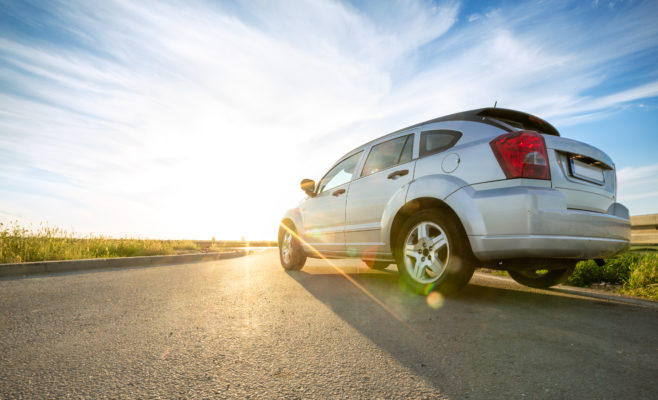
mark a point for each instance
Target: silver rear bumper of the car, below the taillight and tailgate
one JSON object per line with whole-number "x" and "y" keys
{"x": 533, "y": 222}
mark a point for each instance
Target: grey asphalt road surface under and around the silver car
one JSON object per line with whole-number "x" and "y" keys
{"x": 246, "y": 328}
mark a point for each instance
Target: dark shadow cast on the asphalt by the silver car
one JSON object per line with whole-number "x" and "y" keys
{"x": 493, "y": 342}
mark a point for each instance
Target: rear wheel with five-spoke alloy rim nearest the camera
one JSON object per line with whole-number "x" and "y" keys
{"x": 432, "y": 254}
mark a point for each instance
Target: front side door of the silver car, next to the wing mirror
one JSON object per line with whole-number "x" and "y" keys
{"x": 324, "y": 213}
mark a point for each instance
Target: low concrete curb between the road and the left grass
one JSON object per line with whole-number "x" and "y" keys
{"x": 49, "y": 267}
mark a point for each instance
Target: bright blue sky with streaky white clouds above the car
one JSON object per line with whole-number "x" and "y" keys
{"x": 194, "y": 119}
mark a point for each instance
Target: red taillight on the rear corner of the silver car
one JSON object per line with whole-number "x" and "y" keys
{"x": 522, "y": 154}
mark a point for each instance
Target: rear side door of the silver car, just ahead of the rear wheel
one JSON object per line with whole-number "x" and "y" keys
{"x": 387, "y": 169}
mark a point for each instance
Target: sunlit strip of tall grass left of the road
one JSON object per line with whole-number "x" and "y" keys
{"x": 19, "y": 244}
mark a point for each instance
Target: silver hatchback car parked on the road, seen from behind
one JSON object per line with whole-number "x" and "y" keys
{"x": 490, "y": 187}
